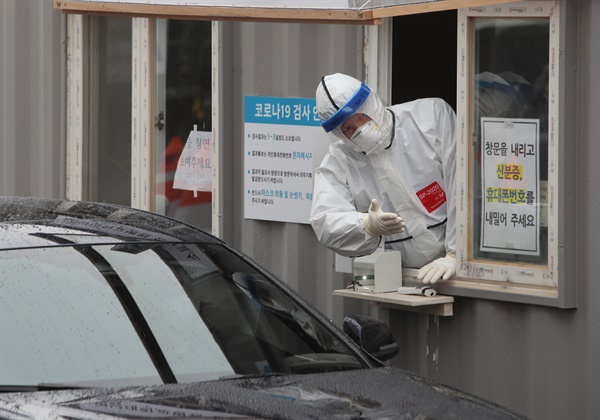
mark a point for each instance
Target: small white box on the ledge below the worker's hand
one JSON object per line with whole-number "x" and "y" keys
{"x": 379, "y": 272}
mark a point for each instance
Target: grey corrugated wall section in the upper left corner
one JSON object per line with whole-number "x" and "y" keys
{"x": 32, "y": 105}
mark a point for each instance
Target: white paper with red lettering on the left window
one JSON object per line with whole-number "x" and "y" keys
{"x": 194, "y": 169}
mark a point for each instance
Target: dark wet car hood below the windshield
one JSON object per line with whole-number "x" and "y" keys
{"x": 377, "y": 393}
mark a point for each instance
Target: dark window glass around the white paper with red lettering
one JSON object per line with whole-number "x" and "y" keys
{"x": 185, "y": 71}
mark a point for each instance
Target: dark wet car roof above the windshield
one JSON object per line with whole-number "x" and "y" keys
{"x": 124, "y": 224}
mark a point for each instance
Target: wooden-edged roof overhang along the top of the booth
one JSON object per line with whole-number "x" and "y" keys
{"x": 364, "y": 12}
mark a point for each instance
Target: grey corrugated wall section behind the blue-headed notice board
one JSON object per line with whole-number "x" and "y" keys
{"x": 286, "y": 60}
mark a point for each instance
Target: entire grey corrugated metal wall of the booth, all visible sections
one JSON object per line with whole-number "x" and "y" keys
{"x": 542, "y": 362}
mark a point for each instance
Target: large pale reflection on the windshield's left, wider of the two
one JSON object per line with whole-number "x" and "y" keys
{"x": 60, "y": 322}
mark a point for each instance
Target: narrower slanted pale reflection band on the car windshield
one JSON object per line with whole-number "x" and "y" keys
{"x": 184, "y": 338}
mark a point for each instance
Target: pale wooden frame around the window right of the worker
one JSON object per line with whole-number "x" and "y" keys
{"x": 517, "y": 283}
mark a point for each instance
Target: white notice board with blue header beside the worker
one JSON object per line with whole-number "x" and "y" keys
{"x": 284, "y": 143}
